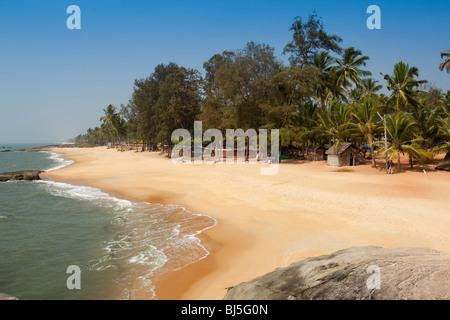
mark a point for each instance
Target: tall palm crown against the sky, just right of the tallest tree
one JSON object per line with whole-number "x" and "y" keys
{"x": 348, "y": 69}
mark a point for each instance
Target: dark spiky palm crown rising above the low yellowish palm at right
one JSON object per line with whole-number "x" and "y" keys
{"x": 403, "y": 85}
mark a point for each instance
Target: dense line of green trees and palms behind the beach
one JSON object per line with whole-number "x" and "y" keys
{"x": 323, "y": 96}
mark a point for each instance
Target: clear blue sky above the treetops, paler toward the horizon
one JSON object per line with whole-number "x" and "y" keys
{"x": 55, "y": 82}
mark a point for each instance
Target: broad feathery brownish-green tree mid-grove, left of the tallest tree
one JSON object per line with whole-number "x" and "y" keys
{"x": 237, "y": 85}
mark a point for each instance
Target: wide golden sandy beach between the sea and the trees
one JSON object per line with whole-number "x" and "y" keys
{"x": 265, "y": 222}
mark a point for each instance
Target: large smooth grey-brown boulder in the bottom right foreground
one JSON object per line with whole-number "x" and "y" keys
{"x": 354, "y": 274}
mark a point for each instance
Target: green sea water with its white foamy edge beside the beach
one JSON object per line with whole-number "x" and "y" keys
{"x": 119, "y": 246}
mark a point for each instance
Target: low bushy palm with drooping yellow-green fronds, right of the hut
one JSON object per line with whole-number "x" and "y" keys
{"x": 402, "y": 139}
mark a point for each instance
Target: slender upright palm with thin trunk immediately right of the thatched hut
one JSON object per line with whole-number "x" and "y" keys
{"x": 366, "y": 123}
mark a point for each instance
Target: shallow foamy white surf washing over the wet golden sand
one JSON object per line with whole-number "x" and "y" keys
{"x": 148, "y": 239}
